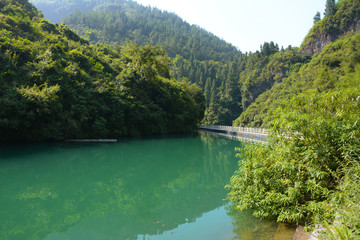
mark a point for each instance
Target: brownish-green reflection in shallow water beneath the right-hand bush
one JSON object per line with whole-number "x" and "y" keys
{"x": 248, "y": 227}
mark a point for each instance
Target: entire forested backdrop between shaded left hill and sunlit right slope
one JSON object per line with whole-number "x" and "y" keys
{"x": 230, "y": 80}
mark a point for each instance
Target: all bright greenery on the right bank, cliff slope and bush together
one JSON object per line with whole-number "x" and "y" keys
{"x": 309, "y": 172}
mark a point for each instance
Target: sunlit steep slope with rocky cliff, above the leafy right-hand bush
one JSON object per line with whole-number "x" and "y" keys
{"x": 335, "y": 67}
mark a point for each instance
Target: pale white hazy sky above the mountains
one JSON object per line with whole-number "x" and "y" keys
{"x": 248, "y": 23}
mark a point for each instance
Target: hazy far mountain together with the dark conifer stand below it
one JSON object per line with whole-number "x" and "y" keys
{"x": 199, "y": 56}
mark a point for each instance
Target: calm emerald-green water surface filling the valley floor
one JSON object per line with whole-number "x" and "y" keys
{"x": 158, "y": 188}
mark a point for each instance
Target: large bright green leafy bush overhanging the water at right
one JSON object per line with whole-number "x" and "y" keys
{"x": 315, "y": 142}
